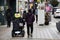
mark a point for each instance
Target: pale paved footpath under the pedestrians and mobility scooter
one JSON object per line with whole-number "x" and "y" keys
{"x": 40, "y": 32}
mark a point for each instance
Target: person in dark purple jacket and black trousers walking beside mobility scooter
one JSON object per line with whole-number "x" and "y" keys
{"x": 29, "y": 20}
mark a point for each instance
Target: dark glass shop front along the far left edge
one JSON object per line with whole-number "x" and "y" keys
{"x": 2, "y": 11}
